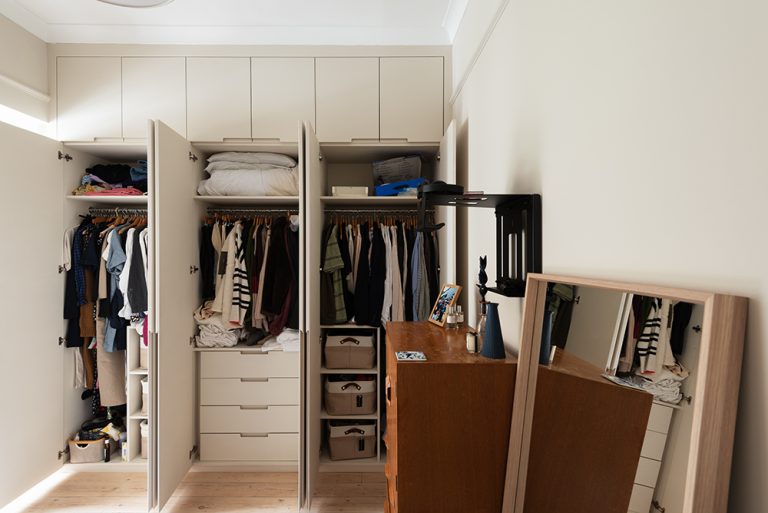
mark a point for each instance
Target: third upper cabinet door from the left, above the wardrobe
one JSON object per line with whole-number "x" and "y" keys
{"x": 218, "y": 98}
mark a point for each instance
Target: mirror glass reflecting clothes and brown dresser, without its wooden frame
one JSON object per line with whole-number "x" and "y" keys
{"x": 637, "y": 358}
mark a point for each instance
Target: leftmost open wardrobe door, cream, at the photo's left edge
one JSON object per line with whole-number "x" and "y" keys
{"x": 32, "y": 379}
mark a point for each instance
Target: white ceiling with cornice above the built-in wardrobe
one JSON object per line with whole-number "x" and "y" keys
{"x": 268, "y": 22}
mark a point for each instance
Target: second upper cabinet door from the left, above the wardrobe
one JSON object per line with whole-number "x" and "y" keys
{"x": 153, "y": 88}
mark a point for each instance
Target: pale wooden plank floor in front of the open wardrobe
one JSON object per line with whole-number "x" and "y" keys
{"x": 215, "y": 492}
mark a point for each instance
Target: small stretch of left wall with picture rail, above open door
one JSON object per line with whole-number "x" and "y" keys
{"x": 23, "y": 70}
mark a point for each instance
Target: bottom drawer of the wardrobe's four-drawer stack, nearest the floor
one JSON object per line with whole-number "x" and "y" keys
{"x": 273, "y": 447}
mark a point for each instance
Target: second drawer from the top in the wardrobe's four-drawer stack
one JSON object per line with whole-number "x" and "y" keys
{"x": 249, "y": 391}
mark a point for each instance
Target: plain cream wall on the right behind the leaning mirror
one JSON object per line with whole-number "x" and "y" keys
{"x": 643, "y": 125}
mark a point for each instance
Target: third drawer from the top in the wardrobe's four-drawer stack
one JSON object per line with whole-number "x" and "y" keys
{"x": 249, "y": 419}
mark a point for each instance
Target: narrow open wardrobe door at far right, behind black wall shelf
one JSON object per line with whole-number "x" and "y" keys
{"x": 446, "y": 171}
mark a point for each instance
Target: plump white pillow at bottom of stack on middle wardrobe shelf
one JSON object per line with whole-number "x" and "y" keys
{"x": 273, "y": 182}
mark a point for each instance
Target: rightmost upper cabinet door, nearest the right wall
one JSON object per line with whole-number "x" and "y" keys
{"x": 412, "y": 103}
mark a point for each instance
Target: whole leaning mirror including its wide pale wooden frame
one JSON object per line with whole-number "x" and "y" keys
{"x": 625, "y": 398}
